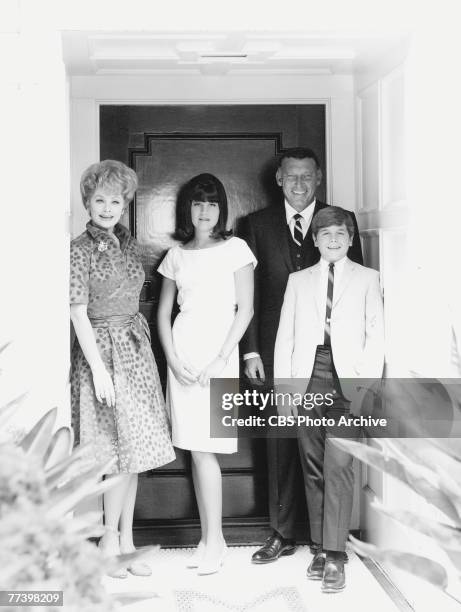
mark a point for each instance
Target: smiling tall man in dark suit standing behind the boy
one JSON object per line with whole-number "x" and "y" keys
{"x": 280, "y": 237}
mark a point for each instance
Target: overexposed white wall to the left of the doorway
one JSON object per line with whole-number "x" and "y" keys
{"x": 34, "y": 242}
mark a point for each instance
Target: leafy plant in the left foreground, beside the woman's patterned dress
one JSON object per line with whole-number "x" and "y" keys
{"x": 43, "y": 546}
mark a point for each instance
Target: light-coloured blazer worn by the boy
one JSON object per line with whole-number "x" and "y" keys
{"x": 357, "y": 324}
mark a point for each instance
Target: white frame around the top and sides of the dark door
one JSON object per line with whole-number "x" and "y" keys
{"x": 88, "y": 92}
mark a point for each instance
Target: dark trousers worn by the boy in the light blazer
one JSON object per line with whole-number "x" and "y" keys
{"x": 327, "y": 471}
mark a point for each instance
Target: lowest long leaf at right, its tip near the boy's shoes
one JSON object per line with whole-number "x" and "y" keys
{"x": 419, "y": 566}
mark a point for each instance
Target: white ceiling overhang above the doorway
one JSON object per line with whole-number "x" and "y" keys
{"x": 221, "y": 53}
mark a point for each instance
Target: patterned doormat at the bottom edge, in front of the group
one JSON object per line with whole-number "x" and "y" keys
{"x": 282, "y": 599}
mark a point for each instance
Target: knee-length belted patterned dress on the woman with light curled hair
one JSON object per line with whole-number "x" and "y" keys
{"x": 107, "y": 275}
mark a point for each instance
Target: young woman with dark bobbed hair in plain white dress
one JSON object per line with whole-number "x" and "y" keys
{"x": 212, "y": 275}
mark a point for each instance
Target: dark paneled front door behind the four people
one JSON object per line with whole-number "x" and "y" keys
{"x": 166, "y": 146}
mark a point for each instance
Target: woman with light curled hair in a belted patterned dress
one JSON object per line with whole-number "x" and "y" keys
{"x": 117, "y": 402}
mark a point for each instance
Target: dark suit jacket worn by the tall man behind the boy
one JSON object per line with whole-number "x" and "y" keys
{"x": 265, "y": 232}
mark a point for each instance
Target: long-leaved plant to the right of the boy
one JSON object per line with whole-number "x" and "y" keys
{"x": 431, "y": 468}
